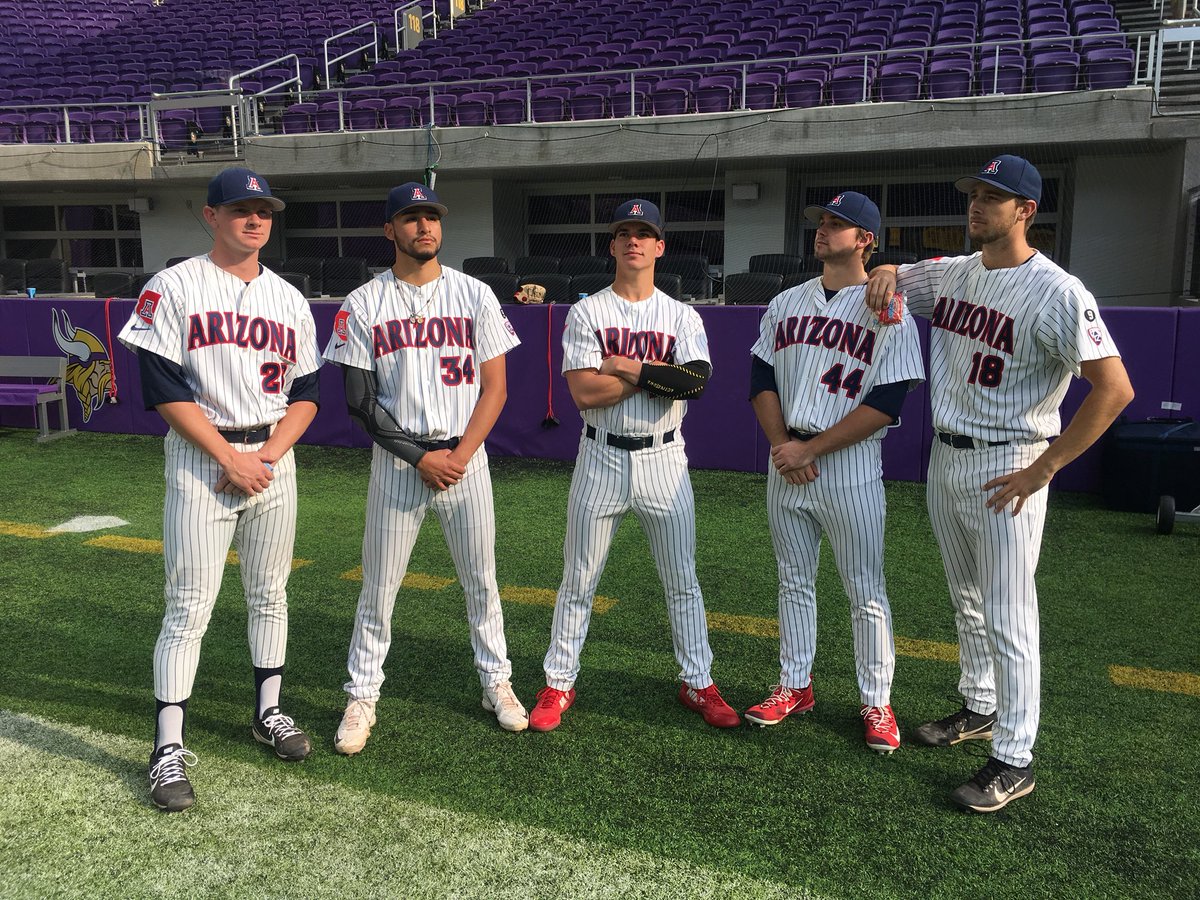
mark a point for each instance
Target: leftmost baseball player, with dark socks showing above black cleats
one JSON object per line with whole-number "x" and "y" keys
{"x": 227, "y": 353}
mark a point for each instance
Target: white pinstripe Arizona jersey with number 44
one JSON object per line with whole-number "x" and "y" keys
{"x": 829, "y": 355}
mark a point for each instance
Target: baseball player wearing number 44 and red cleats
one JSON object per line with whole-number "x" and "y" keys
{"x": 827, "y": 380}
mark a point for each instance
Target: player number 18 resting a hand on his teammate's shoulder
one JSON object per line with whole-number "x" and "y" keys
{"x": 1009, "y": 331}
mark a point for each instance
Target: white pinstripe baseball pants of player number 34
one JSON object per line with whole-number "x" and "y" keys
{"x": 398, "y": 501}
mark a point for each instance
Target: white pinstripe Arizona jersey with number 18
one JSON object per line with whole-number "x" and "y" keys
{"x": 1004, "y": 343}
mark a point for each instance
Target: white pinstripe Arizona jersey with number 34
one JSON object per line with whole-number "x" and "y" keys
{"x": 425, "y": 345}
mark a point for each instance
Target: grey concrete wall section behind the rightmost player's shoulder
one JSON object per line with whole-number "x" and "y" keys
{"x": 1121, "y": 243}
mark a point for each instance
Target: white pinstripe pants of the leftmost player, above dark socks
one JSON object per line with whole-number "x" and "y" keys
{"x": 199, "y": 529}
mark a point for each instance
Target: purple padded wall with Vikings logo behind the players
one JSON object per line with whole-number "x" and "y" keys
{"x": 722, "y": 433}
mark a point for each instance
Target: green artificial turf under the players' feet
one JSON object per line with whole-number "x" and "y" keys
{"x": 634, "y": 796}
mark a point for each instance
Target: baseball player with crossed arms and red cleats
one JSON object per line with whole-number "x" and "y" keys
{"x": 632, "y": 356}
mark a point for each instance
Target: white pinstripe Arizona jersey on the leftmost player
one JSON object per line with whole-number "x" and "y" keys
{"x": 241, "y": 345}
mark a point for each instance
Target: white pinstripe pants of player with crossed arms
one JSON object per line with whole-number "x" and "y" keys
{"x": 607, "y": 484}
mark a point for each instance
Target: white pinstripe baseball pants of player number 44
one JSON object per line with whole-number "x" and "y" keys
{"x": 847, "y": 502}
